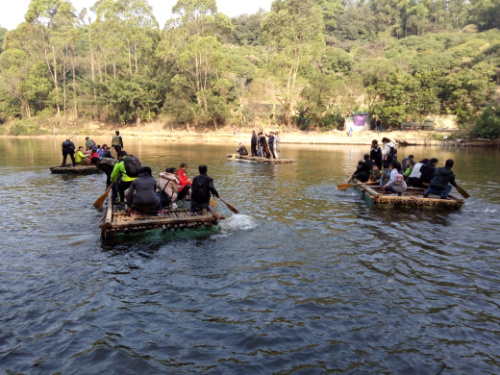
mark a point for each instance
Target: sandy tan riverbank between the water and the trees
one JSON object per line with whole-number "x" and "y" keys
{"x": 102, "y": 133}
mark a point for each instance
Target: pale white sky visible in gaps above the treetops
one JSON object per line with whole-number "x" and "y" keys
{"x": 12, "y": 15}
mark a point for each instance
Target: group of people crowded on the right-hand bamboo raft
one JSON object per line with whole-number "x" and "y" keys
{"x": 381, "y": 166}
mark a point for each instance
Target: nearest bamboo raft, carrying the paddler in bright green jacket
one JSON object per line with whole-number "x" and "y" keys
{"x": 117, "y": 220}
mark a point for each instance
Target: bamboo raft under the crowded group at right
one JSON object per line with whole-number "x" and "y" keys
{"x": 412, "y": 197}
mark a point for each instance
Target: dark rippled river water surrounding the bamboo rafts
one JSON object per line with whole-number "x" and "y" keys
{"x": 306, "y": 280}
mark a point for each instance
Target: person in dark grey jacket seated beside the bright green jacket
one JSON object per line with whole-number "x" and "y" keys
{"x": 142, "y": 195}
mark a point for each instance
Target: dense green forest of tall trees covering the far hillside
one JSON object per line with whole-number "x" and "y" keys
{"x": 401, "y": 60}
